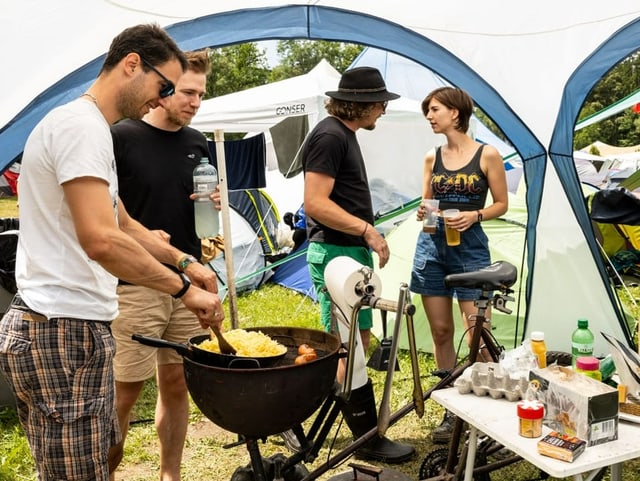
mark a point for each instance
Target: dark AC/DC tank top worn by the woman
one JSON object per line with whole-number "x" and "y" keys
{"x": 465, "y": 189}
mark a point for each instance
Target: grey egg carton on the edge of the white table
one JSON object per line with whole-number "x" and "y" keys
{"x": 484, "y": 378}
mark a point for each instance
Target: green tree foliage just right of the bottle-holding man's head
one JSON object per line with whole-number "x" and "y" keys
{"x": 236, "y": 67}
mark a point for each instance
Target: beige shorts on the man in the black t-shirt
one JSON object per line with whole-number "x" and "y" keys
{"x": 150, "y": 313}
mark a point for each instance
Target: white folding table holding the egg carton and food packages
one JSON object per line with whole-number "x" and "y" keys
{"x": 497, "y": 418}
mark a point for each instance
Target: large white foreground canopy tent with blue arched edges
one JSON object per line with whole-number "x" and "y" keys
{"x": 529, "y": 66}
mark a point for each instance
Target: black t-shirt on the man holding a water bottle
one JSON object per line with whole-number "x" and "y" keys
{"x": 155, "y": 178}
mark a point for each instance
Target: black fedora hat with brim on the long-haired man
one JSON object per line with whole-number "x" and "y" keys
{"x": 362, "y": 84}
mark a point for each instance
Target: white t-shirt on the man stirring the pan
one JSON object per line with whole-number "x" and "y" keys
{"x": 55, "y": 277}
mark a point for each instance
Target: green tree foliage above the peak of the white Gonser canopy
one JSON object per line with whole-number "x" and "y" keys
{"x": 300, "y": 56}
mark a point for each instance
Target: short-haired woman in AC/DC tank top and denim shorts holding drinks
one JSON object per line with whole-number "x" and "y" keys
{"x": 459, "y": 174}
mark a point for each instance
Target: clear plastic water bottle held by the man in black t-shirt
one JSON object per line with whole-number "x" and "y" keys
{"x": 205, "y": 180}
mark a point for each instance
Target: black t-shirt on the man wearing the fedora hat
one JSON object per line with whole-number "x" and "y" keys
{"x": 333, "y": 149}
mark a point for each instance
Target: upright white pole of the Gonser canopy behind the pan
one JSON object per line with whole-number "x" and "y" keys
{"x": 218, "y": 136}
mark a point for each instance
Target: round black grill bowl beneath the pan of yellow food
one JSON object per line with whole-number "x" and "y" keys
{"x": 258, "y": 402}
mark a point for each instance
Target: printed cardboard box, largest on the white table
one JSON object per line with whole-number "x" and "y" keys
{"x": 577, "y": 405}
